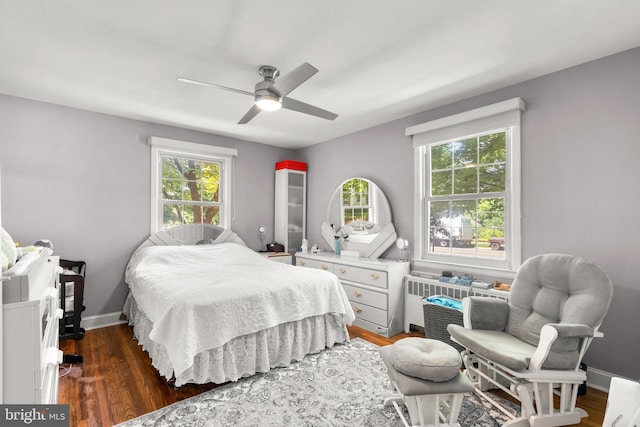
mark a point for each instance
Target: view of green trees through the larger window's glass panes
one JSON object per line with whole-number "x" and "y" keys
{"x": 466, "y": 197}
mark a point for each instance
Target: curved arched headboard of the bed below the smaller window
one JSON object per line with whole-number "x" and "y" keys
{"x": 192, "y": 234}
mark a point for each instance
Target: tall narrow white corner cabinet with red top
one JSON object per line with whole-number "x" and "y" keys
{"x": 290, "y": 204}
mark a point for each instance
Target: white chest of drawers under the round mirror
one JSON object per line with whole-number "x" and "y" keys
{"x": 374, "y": 288}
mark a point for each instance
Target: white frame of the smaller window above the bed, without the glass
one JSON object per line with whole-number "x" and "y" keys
{"x": 173, "y": 147}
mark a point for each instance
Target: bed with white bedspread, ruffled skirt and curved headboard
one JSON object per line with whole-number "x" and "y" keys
{"x": 208, "y": 309}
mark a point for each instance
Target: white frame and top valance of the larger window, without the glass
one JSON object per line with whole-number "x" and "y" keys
{"x": 502, "y": 115}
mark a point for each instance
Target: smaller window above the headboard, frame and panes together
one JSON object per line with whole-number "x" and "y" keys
{"x": 190, "y": 184}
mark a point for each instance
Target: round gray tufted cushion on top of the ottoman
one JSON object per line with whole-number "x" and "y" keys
{"x": 426, "y": 359}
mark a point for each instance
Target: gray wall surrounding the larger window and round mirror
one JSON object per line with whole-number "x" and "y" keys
{"x": 580, "y": 172}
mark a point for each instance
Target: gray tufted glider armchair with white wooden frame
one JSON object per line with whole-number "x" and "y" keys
{"x": 531, "y": 346}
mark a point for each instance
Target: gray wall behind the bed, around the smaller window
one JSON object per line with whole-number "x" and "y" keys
{"x": 82, "y": 180}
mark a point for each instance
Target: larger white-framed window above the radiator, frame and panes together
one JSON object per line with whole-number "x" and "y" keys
{"x": 468, "y": 190}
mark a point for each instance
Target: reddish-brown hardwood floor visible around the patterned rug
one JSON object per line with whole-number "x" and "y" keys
{"x": 116, "y": 381}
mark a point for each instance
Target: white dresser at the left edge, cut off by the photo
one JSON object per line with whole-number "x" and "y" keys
{"x": 31, "y": 317}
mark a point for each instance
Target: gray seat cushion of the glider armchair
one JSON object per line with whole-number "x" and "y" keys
{"x": 497, "y": 346}
